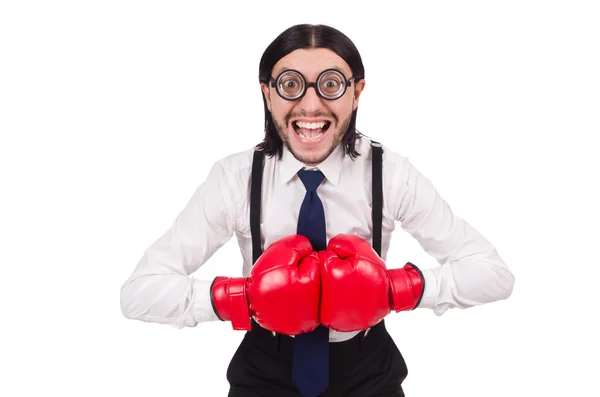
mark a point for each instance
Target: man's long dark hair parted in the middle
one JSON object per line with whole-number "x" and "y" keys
{"x": 302, "y": 37}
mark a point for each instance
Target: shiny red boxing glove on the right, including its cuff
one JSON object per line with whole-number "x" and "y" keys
{"x": 357, "y": 288}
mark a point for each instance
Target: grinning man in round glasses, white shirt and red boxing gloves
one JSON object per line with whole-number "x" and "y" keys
{"x": 314, "y": 225}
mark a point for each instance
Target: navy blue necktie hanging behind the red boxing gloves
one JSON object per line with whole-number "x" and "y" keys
{"x": 311, "y": 350}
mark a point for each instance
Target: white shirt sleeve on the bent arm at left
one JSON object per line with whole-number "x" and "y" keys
{"x": 160, "y": 289}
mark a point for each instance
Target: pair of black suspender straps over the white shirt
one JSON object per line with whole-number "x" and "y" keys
{"x": 255, "y": 199}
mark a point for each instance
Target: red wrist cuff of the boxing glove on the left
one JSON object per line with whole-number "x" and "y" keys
{"x": 229, "y": 301}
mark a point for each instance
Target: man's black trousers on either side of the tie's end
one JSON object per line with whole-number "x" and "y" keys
{"x": 364, "y": 366}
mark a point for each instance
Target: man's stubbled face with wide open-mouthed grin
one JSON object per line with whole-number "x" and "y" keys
{"x": 311, "y": 127}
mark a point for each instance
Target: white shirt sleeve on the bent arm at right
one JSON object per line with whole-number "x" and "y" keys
{"x": 470, "y": 270}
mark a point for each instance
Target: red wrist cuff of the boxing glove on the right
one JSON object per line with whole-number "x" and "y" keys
{"x": 407, "y": 287}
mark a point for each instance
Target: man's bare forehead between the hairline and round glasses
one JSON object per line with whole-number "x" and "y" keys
{"x": 311, "y": 62}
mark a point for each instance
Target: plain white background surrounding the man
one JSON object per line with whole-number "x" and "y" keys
{"x": 112, "y": 112}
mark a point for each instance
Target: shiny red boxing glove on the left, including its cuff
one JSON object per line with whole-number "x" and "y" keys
{"x": 282, "y": 291}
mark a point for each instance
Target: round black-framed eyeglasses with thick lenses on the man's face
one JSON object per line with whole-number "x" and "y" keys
{"x": 331, "y": 84}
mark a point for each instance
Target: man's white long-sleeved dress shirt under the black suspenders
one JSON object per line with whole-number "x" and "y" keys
{"x": 162, "y": 289}
